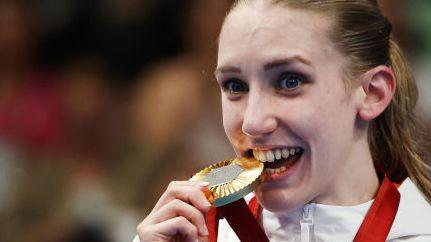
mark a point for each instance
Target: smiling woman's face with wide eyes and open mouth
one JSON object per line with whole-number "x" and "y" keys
{"x": 284, "y": 101}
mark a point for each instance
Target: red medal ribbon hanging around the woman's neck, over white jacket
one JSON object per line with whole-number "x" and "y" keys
{"x": 243, "y": 220}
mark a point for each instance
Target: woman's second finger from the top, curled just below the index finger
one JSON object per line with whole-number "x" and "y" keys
{"x": 177, "y": 208}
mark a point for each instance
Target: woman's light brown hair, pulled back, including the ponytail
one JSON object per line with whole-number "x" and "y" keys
{"x": 363, "y": 35}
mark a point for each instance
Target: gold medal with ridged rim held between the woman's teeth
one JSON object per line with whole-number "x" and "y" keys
{"x": 231, "y": 179}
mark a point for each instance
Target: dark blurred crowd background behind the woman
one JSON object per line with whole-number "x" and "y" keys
{"x": 103, "y": 102}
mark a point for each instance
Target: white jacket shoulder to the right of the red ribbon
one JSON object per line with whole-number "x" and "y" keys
{"x": 413, "y": 216}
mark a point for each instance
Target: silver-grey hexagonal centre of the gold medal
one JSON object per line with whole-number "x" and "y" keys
{"x": 223, "y": 174}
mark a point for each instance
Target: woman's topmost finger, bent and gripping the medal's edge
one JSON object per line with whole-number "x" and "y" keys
{"x": 189, "y": 192}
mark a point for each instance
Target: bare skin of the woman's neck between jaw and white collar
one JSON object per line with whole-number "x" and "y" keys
{"x": 357, "y": 183}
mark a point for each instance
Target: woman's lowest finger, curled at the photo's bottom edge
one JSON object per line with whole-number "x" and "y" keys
{"x": 169, "y": 229}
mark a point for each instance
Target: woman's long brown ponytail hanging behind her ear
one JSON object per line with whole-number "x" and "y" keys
{"x": 395, "y": 136}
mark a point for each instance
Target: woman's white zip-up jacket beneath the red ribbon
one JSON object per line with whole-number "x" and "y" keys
{"x": 341, "y": 223}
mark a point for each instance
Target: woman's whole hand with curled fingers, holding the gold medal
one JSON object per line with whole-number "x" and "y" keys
{"x": 178, "y": 215}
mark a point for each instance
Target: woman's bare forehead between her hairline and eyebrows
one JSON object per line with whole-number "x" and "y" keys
{"x": 263, "y": 30}
